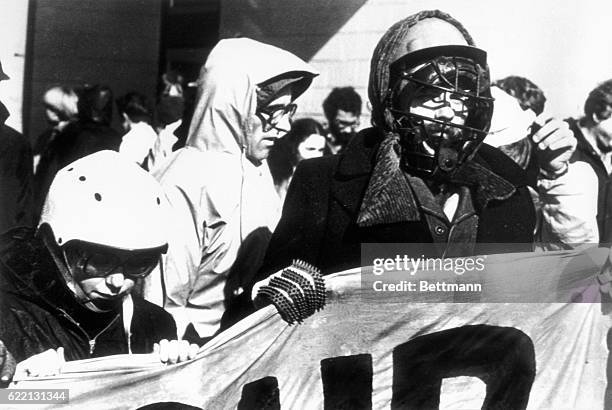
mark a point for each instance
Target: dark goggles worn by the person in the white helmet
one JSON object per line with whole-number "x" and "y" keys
{"x": 97, "y": 262}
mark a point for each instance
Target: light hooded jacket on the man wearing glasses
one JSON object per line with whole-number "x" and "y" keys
{"x": 223, "y": 205}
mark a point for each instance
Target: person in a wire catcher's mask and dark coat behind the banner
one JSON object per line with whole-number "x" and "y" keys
{"x": 421, "y": 174}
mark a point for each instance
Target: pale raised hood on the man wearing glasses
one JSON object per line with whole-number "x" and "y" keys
{"x": 227, "y": 91}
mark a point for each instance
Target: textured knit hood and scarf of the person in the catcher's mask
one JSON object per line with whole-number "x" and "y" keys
{"x": 388, "y": 197}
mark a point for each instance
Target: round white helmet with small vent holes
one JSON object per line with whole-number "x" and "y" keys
{"x": 105, "y": 199}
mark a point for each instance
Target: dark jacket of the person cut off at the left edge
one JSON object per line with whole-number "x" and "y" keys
{"x": 15, "y": 177}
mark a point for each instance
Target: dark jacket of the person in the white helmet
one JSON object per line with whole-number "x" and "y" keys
{"x": 37, "y": 312}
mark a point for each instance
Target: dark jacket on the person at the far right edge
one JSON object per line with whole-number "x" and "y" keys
{"x": 585, "y": 152}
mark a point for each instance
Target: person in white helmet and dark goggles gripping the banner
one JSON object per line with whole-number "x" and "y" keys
{"x": 65, "y": 289}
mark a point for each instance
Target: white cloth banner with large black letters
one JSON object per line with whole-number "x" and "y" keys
{"x": 372, "y": 349}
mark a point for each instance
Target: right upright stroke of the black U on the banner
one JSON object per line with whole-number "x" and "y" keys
{"x": 347, "y": 382}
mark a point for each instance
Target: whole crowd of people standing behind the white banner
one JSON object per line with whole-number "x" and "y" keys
{"x": 120, "y": 240}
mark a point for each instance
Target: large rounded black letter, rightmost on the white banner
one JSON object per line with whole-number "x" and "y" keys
{"x": 502, "y": 357}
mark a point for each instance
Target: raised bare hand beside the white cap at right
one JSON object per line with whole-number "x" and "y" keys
{"x": 555, "y": 143}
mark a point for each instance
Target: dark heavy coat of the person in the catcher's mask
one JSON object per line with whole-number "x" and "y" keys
{"x": 319, "y": 226}
